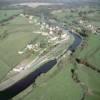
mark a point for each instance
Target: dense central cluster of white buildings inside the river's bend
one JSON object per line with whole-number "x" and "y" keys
{"x": 53, "y": 32}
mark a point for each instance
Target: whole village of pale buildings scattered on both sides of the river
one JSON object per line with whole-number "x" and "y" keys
{"x": 53, "y": 33}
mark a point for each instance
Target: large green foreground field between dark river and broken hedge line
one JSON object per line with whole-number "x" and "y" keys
{"x": 54, "y": 85}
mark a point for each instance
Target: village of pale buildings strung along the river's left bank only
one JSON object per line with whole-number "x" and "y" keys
{"x": 54, "y": 34}
